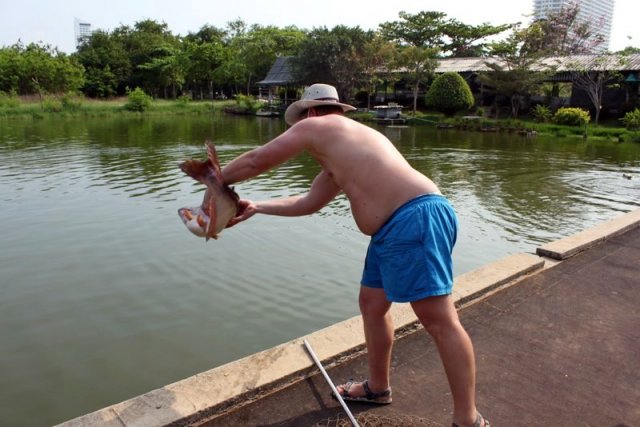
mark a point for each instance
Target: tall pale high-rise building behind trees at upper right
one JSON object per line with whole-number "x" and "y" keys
{"x": 598, "y": 12}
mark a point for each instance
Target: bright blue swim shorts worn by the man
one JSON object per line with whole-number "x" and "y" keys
{"x": 410, "y": 255}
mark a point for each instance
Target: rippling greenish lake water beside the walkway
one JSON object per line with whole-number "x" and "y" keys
{"x": 105, "y": 295}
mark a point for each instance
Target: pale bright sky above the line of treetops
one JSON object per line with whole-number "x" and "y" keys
{"x": 52, "y": 21}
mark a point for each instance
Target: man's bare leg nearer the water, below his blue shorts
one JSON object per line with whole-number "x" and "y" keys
{"x": 378, "y": 332}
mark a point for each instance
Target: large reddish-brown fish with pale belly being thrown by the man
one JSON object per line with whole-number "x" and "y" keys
{"x": 220, "y": 202}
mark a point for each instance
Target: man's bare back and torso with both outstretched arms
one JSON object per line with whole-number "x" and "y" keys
{"x": 355, "y": 159}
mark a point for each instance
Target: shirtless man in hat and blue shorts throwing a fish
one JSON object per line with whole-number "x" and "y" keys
{"x": 393, "y": 203}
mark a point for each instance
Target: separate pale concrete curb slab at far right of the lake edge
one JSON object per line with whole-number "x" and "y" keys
{"x": 572, "y": 245}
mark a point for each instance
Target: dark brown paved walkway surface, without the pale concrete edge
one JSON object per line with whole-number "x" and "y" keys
{"x": 560, "y": 348}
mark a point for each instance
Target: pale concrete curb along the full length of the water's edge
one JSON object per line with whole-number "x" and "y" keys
{"x": 216, "y": 391}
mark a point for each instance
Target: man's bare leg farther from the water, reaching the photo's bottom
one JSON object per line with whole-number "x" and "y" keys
{"x": 439, "y": 317}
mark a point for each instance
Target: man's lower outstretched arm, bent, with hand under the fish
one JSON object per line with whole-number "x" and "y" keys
{"x": 322, "y": 191}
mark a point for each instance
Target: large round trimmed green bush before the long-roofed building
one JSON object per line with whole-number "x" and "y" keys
{"x": 449, "y": 94}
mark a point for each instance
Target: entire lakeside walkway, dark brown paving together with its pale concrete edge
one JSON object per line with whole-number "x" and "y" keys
{"x": 557, "y": 344}
